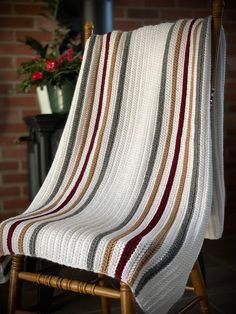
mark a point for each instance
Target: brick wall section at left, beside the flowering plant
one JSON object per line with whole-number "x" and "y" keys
{"x": 17, "y": 20}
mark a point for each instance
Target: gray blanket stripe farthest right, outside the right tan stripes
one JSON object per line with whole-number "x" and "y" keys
{"x": 180, "y": 238}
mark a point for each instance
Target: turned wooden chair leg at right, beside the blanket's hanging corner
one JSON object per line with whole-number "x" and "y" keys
{"x": 200, "y": 288}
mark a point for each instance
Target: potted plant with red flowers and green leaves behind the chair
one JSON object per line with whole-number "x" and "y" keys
{"x": 55, "y": 67}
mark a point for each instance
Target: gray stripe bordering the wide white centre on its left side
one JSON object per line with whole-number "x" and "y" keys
{"x": 109, "y": 146}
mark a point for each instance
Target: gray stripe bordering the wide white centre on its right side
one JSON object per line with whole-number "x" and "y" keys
{"x": 151, "y": 161}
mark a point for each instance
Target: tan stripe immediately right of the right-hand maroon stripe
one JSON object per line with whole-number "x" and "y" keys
{"x": 159, "y": 239}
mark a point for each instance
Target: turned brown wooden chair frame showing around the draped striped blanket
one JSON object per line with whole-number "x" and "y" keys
{"x": 100, "y": 288}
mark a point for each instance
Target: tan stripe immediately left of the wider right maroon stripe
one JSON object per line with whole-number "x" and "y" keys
{"x": 112, "y": 243}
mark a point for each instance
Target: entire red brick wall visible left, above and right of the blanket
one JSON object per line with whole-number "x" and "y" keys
{"x": 18, "y": 18}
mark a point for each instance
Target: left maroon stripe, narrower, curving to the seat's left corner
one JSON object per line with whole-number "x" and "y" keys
{"x": 72, "y": 192}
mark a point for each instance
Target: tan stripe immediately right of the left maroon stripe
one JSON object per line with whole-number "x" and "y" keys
{"x": 98, "y": 146}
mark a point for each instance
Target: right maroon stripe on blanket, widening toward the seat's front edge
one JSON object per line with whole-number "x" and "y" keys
{"x": 132, "y": 243}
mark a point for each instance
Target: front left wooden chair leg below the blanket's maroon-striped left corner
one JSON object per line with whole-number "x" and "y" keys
{"x": 15, "y": 284}
